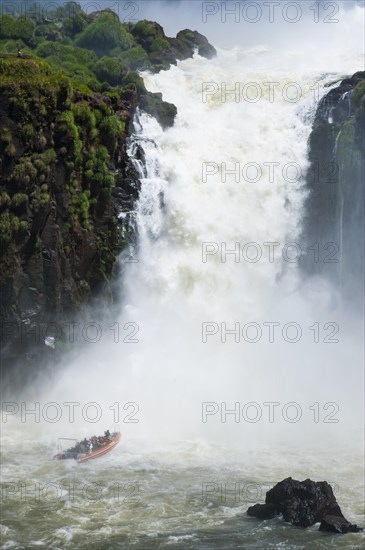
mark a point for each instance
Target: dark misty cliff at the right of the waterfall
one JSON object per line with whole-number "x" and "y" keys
{"x": 335, "y": 207}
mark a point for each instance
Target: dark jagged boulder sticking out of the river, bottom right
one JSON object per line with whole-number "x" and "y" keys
{"x": 304, "y": 503}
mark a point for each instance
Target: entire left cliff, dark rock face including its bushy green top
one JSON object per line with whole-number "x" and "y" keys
{"x": 66, "y": 107}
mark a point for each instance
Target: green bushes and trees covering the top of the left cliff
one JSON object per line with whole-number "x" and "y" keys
{"x": 97, "y": 48}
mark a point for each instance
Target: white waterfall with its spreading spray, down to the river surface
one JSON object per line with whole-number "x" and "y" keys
{"x": 170, "y": 292}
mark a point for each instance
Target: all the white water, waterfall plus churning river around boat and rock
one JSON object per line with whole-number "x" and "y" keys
{"x": 185, "y": 472}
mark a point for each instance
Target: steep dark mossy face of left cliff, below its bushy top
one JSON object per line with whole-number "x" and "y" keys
{"x": 62, "y": 186}
